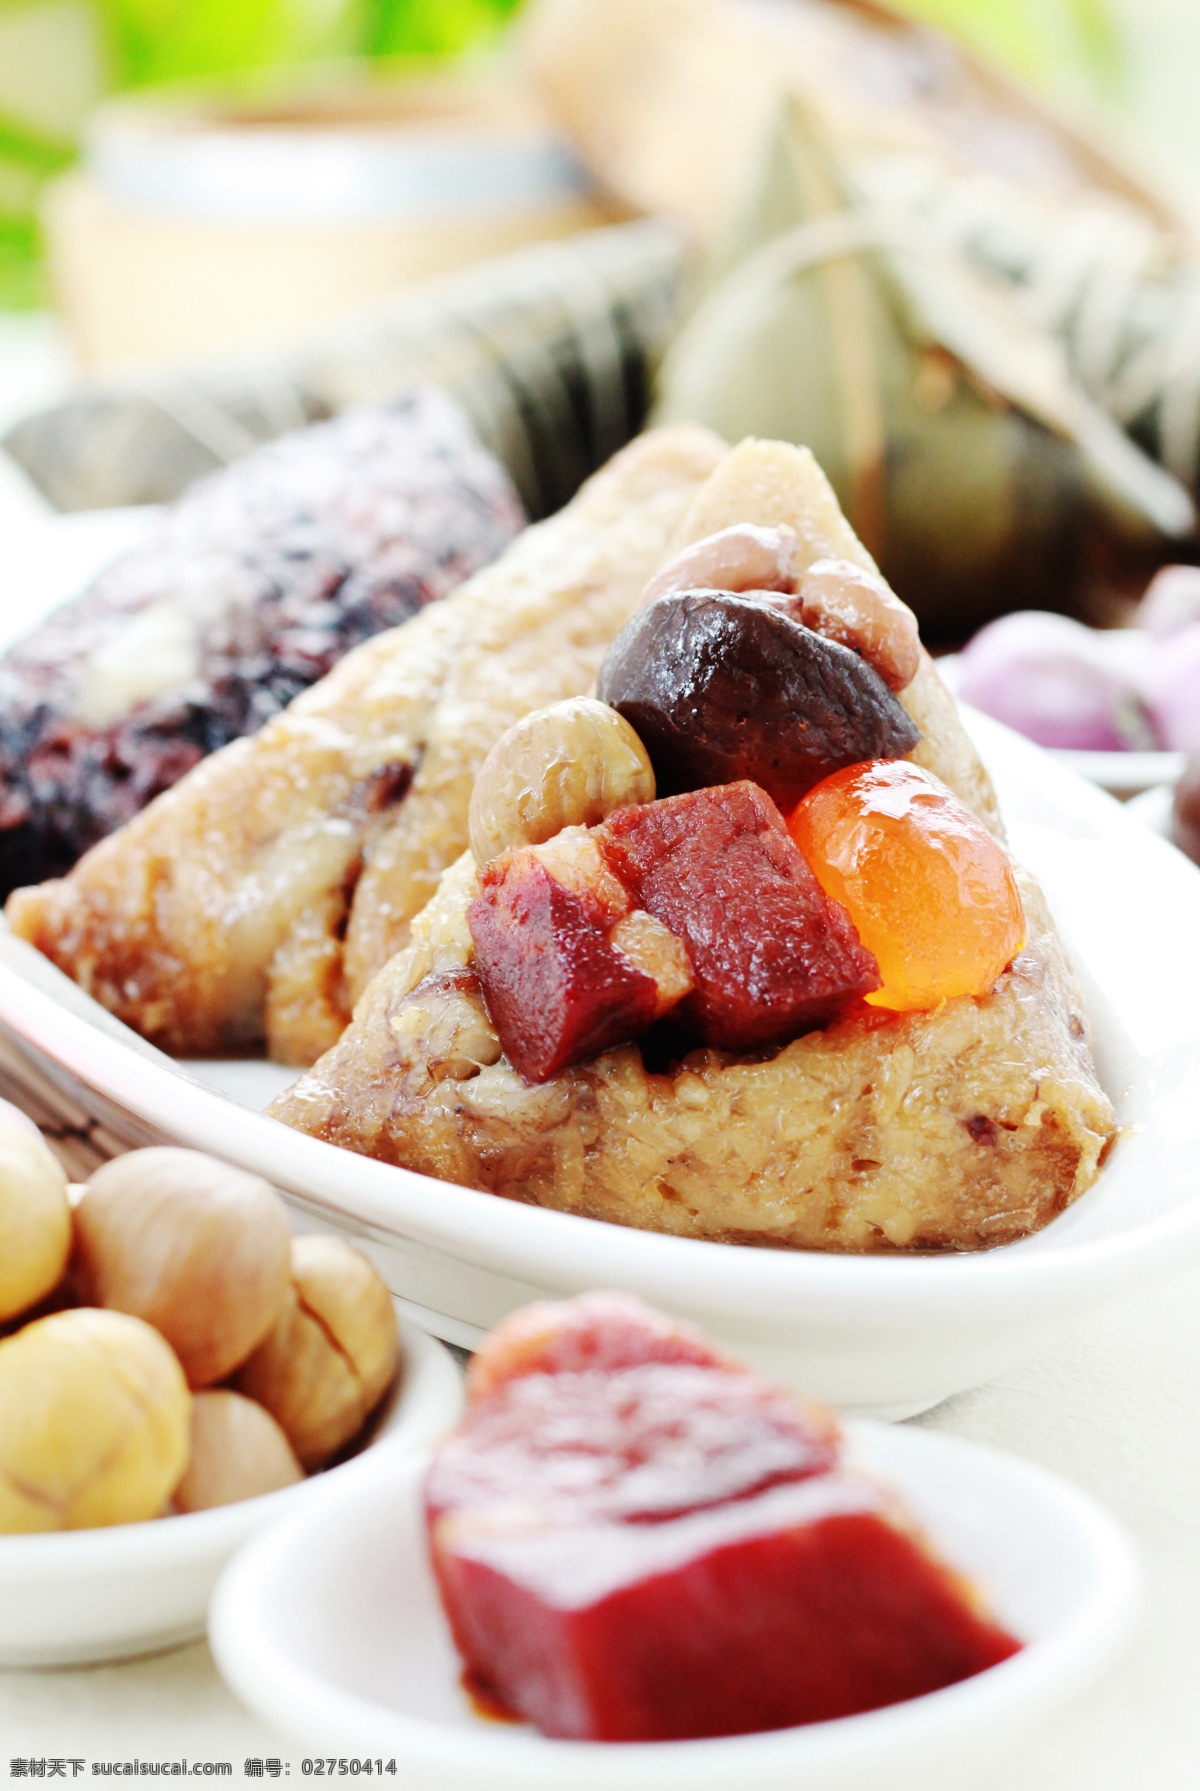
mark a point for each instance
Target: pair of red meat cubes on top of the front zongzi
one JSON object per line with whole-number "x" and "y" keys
{"x": 699, "y": 904}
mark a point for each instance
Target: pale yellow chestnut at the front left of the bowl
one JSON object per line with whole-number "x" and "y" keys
{"x": 94, "y": 1423}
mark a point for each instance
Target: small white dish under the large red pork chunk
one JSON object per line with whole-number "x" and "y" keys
{"x": 330, "y": 1629}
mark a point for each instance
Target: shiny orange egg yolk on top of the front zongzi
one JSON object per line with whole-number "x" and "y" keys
{"x": 927, "y": 886}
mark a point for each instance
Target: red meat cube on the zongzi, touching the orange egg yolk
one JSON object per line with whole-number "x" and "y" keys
{"x": 773, "y": 955}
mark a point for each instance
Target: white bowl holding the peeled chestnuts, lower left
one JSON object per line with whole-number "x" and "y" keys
{"x": 99, "y": 1595}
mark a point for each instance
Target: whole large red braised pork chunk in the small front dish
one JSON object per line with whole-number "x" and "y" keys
{"x": 635, "y": 1547}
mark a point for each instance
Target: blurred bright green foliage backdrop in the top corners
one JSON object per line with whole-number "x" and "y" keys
{"x": 1124, "y": 69}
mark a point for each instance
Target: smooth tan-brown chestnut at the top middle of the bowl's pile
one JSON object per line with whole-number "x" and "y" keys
{"x": 191, "y": 1246}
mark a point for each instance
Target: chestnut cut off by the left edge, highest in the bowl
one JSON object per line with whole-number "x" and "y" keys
{"x": 35, "y": 1217}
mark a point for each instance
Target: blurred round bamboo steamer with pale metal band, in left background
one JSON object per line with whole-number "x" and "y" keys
{"x": 196, "y": 230}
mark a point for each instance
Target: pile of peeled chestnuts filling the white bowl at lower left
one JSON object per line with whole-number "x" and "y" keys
{"x": 175, "y": 1274}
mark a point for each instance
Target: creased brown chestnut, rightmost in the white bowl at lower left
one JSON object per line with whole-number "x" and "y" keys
{"x": 332, "y": 1355}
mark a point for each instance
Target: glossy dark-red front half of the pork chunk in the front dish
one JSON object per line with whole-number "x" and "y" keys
{"x": 805, "y": 1604}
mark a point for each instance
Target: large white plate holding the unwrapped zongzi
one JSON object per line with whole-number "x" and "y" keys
{"x": 879, "y": 1335}
